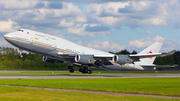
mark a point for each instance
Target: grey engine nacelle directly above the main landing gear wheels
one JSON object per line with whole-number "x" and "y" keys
{"x": 82, "y": 59}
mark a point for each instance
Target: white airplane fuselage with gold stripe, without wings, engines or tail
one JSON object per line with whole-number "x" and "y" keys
{"x": 53, "y": 46}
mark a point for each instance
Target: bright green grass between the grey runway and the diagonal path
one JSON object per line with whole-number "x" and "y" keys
{"x": 155, "y": 86}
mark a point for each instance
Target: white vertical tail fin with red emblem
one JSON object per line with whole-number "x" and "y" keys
{"x": 154, "y": 48}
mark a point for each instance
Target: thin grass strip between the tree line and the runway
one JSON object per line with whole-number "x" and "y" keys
{"x": 94, "y": 73}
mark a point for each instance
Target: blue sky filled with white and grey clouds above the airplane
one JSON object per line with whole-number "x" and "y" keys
{"x": 108, "y": 25}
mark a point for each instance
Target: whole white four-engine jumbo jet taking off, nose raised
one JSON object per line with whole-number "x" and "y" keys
{"x": 55, "y": 49}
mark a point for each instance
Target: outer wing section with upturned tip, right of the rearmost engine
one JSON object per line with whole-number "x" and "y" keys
{"x": 153, "y": 54}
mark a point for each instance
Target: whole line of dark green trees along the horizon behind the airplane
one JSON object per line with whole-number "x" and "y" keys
{"x": 9, "y": 59}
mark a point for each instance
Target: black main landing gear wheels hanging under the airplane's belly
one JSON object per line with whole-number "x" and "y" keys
{"x": 83, "y": 69}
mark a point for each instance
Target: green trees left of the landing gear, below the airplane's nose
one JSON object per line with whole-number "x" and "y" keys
{"x": 9, "y": 59}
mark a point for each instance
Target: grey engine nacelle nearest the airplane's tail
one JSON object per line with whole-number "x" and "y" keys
{"x": 121, "y": 59}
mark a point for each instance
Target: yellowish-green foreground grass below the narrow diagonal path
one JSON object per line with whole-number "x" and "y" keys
{"x": 24, "y": 94}
